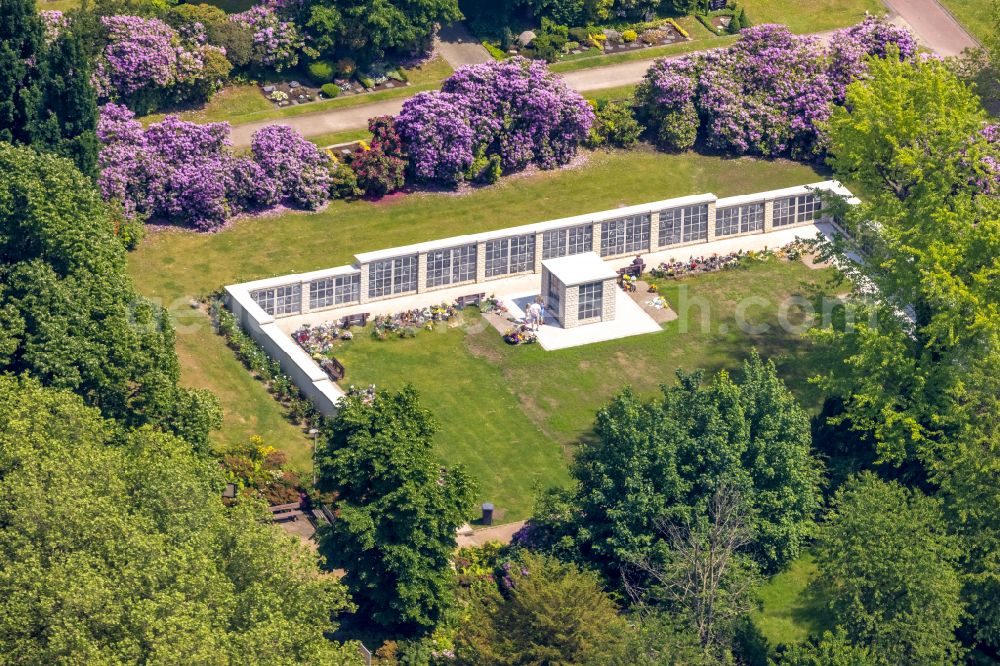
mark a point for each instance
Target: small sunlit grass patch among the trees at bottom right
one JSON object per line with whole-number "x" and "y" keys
{"x": 790, "y": 612}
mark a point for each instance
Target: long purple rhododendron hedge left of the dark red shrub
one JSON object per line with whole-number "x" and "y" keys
{"x": 186, "y": 173}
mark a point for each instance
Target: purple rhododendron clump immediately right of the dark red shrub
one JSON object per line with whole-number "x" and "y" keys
{"x": 516, "y": 109}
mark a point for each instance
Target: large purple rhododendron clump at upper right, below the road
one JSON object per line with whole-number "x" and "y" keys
{"x": 767, "y": 94}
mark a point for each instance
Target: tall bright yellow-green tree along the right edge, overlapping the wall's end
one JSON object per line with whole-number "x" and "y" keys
{"x": 919, "y": 371}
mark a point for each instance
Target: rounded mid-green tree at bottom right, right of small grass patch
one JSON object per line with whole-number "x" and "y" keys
{"x": 889, "y": 569}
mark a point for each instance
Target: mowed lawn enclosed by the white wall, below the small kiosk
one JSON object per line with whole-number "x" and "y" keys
{"x": 514, "y": 415}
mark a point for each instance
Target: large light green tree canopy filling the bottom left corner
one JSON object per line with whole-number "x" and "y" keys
{"x": 117, "y": 549}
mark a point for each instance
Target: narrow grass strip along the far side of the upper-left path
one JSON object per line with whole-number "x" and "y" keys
{"x": 245, "y": 103}
